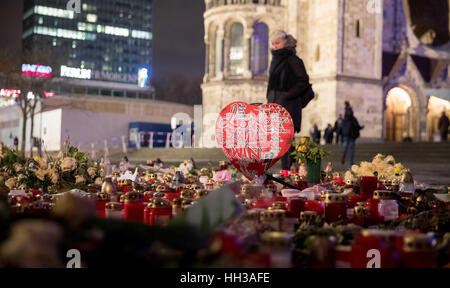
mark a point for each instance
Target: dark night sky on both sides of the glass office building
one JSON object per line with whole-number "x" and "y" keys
{"x": 178, "y": 31}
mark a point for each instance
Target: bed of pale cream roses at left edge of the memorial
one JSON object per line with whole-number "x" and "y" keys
{"x": 70, "y": 169}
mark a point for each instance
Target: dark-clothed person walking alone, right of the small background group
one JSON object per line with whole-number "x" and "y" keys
{"x": 351, "y": 131}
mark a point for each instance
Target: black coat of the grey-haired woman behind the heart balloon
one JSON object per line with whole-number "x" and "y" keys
{"x": 289, "y": 84}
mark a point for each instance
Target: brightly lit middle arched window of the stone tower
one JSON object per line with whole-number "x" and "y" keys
{"x": 236, "y": 53}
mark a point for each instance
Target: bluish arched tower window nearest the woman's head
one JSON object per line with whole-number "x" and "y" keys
{"x": 260, "y": 49}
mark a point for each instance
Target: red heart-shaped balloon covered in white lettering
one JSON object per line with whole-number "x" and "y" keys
{"x": 254, "y": 138}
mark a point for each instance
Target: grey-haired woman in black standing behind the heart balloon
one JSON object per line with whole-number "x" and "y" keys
{"x": 288, "y": 83}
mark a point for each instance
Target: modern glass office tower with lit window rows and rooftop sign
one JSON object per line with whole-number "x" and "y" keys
{"x": 110, "y": 39}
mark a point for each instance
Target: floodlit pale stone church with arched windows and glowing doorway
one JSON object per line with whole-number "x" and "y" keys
{"x": 357, "y": 51}
